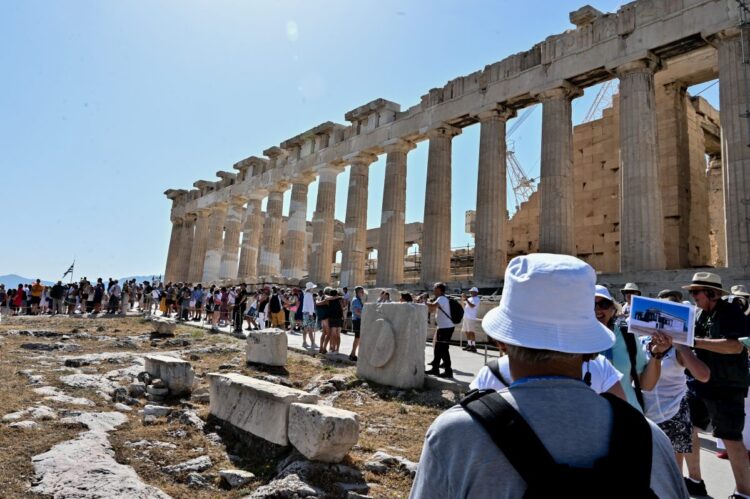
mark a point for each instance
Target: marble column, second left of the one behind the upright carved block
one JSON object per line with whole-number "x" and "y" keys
{"x": 321, "y": 261}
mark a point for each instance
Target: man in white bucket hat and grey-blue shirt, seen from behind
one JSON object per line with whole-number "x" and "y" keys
{"x": 548, "y": 434}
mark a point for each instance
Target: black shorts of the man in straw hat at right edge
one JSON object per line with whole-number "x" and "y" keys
{"x": 725, "y": 413}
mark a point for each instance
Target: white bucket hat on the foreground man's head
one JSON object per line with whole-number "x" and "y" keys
{"x": 568, "y": 323}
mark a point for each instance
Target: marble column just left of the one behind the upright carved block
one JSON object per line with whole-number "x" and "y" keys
{"x": 354, "y": 251}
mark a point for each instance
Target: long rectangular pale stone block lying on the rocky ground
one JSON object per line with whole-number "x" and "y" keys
{"x": 254, "y": 405}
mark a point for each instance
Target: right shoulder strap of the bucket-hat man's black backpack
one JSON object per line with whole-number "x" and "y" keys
{"x": 630, "y": 443}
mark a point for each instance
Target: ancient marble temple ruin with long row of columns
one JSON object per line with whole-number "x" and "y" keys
{"x": 661, "y": 181}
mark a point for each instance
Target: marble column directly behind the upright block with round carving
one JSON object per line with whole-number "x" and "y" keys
{"x": 392, "y": 218}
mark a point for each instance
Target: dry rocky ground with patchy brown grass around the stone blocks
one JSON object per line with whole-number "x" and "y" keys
{"x": 77, "y": 423}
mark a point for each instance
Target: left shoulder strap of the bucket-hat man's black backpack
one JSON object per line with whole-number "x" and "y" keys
{"x": 511, "y": 433}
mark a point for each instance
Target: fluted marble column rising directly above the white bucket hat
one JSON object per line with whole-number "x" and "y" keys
{"x": 556, "y": 187}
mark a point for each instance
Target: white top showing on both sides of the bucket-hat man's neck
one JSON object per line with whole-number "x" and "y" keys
{"x": 598, "y": 373}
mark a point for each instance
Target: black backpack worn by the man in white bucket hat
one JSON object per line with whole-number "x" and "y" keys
{"x": 629, "y": 449}
